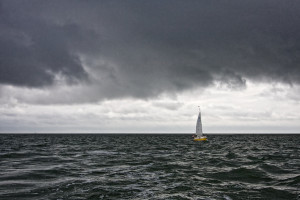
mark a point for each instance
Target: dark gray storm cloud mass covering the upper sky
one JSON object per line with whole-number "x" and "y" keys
{"x": 145, "y": 48}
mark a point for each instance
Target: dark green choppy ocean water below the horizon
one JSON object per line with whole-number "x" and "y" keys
{"x": 149, "y": 167}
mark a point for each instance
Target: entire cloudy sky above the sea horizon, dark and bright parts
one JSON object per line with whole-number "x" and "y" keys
{"x": 131, "y": 66}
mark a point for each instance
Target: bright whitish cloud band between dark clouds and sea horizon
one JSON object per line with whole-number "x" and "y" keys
{"x": 259, "y": 108}
